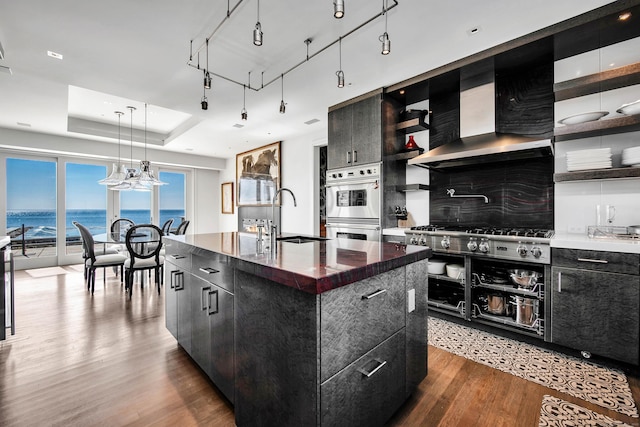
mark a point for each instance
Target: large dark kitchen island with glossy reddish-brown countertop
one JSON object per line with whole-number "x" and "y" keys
{"x": 330, "y": 332}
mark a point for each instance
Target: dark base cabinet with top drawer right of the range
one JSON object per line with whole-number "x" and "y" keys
{"x": 595, "y": 302}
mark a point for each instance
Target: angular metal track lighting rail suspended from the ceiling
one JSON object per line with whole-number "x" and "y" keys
{"x": 284, "y": 73}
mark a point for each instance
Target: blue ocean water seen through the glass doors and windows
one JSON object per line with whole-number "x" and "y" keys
{"x": 41, "y": 224}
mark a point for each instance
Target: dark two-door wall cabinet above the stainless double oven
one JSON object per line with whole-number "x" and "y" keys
{"x": 355, "y": 133}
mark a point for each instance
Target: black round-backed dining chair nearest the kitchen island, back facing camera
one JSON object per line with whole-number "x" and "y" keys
{"x": 143, "y": 242}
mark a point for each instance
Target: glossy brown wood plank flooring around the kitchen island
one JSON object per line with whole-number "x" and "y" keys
{"x": 78, "y": 360}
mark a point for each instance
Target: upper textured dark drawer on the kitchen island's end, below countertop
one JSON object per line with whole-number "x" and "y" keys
{"x": 357, "y": 317}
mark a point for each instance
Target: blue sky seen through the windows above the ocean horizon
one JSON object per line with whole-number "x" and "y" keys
{"x": 31, "y": 185}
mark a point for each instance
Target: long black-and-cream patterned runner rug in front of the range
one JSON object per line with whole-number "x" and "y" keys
{"x": 579, "y": 378}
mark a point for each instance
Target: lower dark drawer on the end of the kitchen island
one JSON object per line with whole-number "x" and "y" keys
{"x": 367, "y": 392}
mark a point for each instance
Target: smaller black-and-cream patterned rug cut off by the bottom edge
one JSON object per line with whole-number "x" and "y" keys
{"x": 556, "y": 412}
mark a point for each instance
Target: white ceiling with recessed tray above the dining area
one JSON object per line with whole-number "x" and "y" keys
{"x": 122, "y": 52}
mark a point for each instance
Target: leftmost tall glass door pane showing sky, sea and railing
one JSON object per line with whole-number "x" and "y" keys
{"x": 31, "y": 207}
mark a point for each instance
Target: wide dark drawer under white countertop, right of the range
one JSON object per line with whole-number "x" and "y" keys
{"x": 613, "y": 262}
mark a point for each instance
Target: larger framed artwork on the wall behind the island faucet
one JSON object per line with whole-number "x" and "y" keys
{"x": 258, "y": 175}
